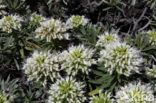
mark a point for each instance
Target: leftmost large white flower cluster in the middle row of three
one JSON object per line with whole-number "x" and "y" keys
{"x": 42, "y": 66}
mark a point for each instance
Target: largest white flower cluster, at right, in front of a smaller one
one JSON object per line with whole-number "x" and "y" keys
{"x": 121, "y": 58}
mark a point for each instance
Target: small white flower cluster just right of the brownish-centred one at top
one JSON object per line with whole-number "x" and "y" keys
{"x": 75, "y": 21}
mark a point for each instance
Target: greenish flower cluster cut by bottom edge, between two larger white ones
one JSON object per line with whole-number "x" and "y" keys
{"x": 102, "y": 98}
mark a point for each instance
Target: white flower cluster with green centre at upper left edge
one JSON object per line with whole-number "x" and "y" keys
{"x": 10, "y": 23}
